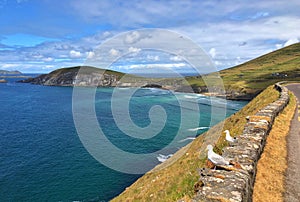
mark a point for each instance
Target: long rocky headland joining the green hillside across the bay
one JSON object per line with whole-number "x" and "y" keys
{"x": 242, "y": 82}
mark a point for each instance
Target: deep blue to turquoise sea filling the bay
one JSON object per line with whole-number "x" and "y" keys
{"x": 43, "y": 159}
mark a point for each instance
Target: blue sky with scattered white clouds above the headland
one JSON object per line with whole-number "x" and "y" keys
{"x": 43, "y": 35}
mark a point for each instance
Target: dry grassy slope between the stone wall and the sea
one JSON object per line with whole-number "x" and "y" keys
{"x": 176, "y": 181}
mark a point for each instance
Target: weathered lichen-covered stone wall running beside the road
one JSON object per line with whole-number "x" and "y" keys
{"x": 235, "y": 183}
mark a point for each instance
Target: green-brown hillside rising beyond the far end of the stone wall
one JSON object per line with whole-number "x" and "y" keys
{"x": 256, "y": 75}
